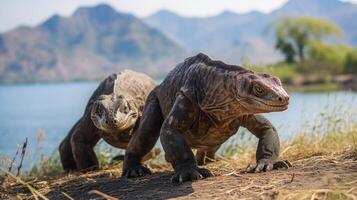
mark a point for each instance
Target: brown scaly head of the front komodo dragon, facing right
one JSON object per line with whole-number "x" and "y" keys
{"x": 261, "y": 93}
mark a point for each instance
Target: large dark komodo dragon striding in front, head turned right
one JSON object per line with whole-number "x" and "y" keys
{"x": 200, "y": 104}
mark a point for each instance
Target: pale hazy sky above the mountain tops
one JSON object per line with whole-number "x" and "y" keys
{"x": 31, "y": 12}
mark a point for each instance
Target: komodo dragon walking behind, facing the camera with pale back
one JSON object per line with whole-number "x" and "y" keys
{"x": 111, "y": 113}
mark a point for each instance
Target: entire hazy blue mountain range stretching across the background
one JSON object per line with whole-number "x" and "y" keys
{"x": 95, "y": 41}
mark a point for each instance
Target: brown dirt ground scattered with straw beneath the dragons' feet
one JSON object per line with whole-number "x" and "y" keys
{"x": 319, "y": 177}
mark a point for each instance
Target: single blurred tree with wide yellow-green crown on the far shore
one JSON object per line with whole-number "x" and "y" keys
{"x": 294, "y": 35}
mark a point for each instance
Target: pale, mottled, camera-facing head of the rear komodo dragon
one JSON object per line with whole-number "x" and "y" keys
{"x": 112, "y": 113}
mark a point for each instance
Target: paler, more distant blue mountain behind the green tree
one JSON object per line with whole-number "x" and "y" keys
{"x": 242, "y": 37}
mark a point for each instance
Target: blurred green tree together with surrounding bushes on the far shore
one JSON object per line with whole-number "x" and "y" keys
{"x": 313, "y": 56}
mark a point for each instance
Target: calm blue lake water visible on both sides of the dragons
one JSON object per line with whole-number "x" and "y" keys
{"x": 29, "y": 109}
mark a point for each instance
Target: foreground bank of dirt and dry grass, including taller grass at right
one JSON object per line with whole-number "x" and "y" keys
{"x": 324, "y": 169}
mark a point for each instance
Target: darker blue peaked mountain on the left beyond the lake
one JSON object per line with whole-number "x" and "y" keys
{"x": 92, "y": 43}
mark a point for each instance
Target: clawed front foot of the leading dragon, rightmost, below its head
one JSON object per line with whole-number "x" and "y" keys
{"x": 265, "y": 165}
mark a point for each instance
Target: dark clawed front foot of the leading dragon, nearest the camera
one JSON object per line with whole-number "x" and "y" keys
{"x": 190, "y": 174}
